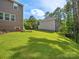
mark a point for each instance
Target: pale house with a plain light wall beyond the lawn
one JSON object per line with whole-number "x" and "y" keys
{"x": 48, "y": 24}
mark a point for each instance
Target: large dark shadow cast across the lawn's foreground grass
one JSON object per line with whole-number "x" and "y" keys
{"x": 41, "y": 48}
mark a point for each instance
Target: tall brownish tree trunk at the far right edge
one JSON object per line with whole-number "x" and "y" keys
{"x": 76, "y": 19}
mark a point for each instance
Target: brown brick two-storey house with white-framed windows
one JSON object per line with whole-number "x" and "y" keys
{"x": 11, "y": 15}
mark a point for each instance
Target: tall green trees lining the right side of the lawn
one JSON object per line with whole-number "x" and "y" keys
{"x": 68, "y": 19}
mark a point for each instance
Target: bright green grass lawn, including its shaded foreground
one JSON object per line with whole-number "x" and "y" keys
{"x": 37, "y": 45}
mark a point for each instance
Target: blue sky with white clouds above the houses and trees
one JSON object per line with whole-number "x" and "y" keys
{"x": 37, "y": 8}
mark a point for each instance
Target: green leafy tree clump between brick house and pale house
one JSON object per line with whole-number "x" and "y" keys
{"x": 31, "y": 23}
